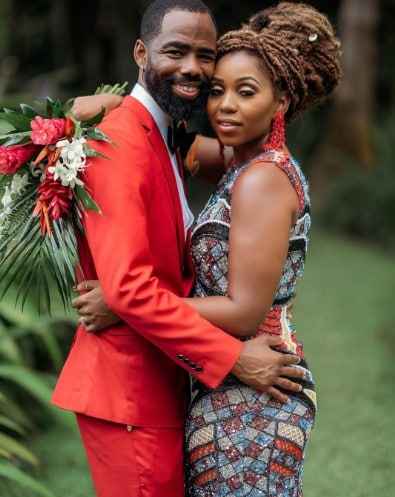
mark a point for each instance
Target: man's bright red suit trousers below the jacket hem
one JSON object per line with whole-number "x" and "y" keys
{"x": 129, "y": 461}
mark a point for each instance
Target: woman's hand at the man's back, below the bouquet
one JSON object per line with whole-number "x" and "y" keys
{"x": 93, "y": 311}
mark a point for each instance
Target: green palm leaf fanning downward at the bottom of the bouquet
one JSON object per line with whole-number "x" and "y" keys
{"x": 33, "y": 263}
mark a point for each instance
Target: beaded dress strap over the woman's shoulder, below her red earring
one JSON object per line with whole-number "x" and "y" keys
{"x": 284, "y": 162}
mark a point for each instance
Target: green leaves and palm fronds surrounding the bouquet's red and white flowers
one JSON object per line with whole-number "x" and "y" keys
{"x": 38, "y": 252}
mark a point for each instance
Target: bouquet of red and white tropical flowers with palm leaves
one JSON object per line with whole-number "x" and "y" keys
{"x": 43, "y": 152}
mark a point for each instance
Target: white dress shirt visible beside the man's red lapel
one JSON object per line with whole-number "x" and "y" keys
{"x": 163, "y": 121}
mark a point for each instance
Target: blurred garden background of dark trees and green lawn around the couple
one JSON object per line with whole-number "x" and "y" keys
{"x": 345, "y": 309}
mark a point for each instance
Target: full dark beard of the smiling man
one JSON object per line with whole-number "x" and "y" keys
{"x": 176, "y": 107}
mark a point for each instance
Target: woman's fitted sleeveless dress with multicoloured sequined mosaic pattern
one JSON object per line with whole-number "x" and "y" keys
{"x": 240, "y": 442}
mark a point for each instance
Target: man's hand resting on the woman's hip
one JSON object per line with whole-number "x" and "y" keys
{"x": 264, "y": 369}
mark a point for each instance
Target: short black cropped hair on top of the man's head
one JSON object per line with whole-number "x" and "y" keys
{"x": 152, "y": 20}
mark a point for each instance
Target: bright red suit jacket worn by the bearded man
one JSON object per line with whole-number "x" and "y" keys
{"x": 134, "y": 373}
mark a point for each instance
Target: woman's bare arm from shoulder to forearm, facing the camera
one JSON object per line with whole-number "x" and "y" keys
{"x": 264, "y": 207}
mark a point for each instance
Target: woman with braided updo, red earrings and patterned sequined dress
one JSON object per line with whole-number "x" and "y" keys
{"x": 249, "y": 245}
